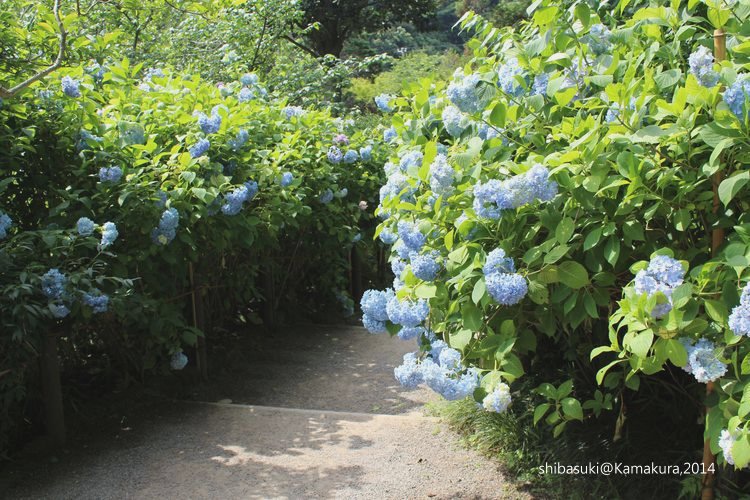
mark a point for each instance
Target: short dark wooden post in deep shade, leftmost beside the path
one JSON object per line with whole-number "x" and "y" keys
{"x": 49, "y": 368}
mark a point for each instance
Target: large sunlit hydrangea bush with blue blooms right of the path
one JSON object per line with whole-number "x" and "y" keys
{"x": 570, "y": 157}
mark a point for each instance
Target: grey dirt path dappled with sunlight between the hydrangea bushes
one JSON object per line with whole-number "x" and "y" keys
{"x": 325, "y": 419}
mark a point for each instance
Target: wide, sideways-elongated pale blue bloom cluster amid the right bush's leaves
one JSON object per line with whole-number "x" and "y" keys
{"x": 492, "y": 197}
